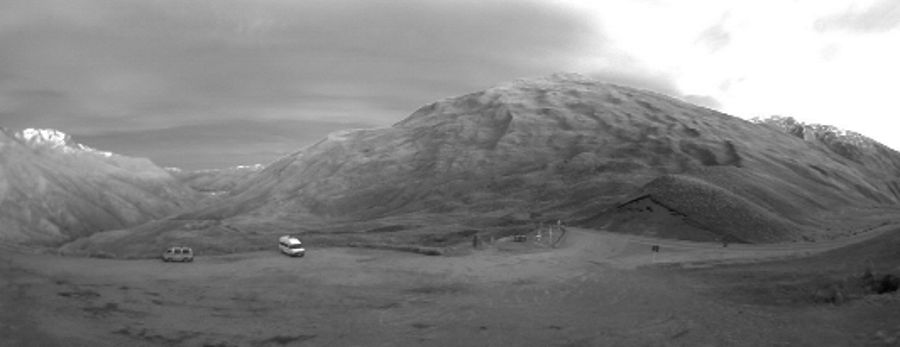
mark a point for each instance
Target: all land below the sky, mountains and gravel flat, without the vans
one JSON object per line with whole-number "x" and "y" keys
{"x": 771, "y": 232}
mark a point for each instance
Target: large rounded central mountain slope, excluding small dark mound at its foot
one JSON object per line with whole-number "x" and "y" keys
{"x": 551, "y": 144}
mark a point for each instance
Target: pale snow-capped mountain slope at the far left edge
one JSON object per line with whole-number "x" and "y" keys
{"x": 53, "y": 190}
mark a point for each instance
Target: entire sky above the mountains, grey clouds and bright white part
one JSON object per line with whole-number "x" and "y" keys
{"x": 201, "y": 84}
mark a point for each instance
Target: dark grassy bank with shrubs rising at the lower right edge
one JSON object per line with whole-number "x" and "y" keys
{"x": 864, "y": 271}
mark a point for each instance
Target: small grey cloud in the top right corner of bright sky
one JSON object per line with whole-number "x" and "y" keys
{"x": 879, "y": 17}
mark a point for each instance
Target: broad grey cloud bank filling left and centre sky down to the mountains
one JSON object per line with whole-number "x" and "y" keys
{"x": 127, "y": 75}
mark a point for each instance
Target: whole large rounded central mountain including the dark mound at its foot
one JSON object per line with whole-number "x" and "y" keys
{"x": 572, "y": 147}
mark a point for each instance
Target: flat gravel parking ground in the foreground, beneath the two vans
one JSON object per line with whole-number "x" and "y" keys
{"x": 591, "y": 291}
